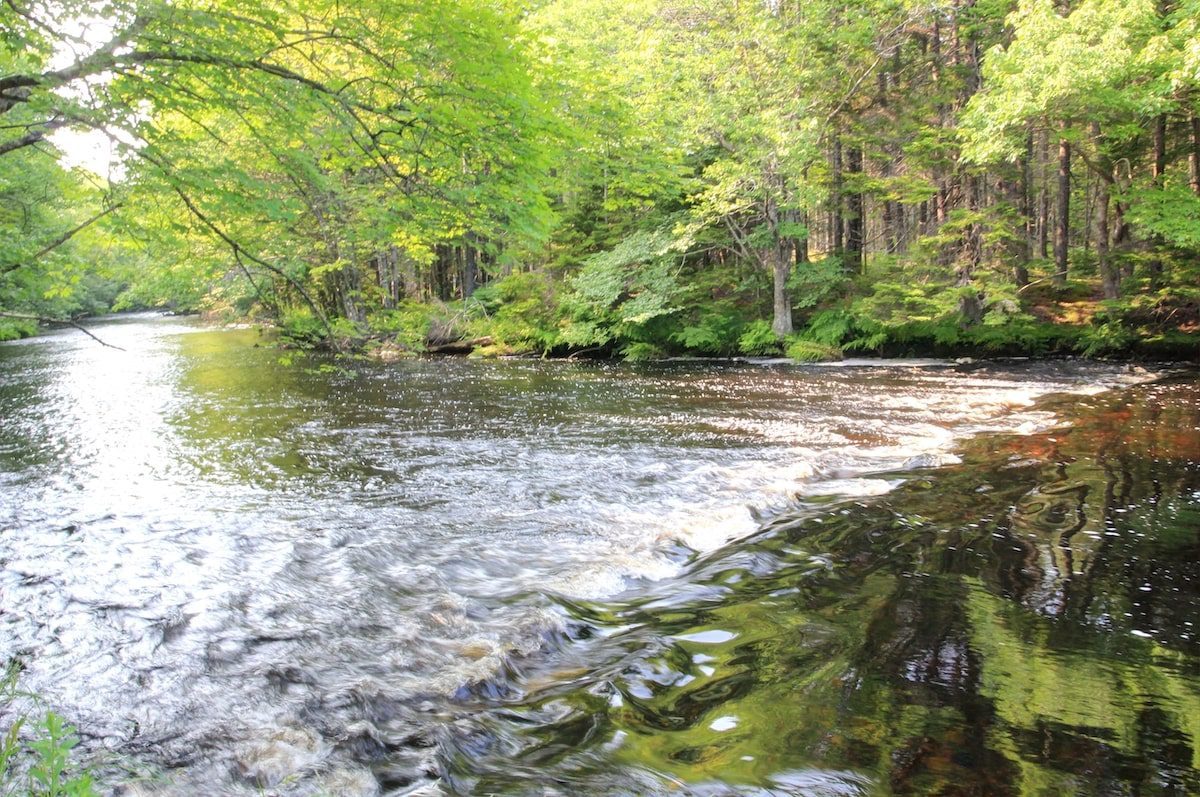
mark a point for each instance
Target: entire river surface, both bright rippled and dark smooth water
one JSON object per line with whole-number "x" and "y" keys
{"x": 431, "y": 578}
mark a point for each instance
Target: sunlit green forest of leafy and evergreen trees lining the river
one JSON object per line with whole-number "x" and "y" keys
{"x": 640, "y": 179}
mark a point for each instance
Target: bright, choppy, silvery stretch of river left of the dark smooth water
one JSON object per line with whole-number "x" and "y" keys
{"x": 263, "y": 577}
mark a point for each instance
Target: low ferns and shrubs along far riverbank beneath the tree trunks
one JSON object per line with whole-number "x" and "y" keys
{"x": 529, "y": 315}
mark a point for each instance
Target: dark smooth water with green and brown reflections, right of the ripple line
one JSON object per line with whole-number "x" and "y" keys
{"x": 1023, "y": 624}
